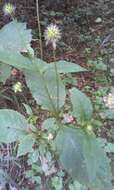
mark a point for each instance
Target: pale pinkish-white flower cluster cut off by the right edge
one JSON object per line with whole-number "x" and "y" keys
{"x": 109, "y": 100}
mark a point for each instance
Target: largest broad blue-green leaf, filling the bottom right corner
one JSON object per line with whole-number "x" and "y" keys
{"x": 84, "y": 159}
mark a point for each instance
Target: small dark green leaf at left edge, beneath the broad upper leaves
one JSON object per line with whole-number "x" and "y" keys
{"x": 5, "y": 71}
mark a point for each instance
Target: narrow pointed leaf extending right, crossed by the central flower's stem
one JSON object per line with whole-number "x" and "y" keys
{"x": 66, "y": 67}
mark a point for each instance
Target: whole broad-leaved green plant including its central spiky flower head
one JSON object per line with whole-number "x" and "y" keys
{"x": 65, "y": 145}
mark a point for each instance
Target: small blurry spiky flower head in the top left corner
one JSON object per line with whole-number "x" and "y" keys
{"x": 8, "y": 9}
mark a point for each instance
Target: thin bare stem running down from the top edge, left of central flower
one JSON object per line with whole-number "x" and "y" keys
{"x": 39, "y": 28}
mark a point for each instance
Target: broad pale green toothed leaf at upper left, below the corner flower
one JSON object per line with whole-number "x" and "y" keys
{"x": 15, "y": 37}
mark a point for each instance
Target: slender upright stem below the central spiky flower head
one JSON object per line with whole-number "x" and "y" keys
{"x": 57, "y": 79}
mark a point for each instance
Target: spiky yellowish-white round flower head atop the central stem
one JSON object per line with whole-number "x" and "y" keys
{"x": 52, "y": 35}
